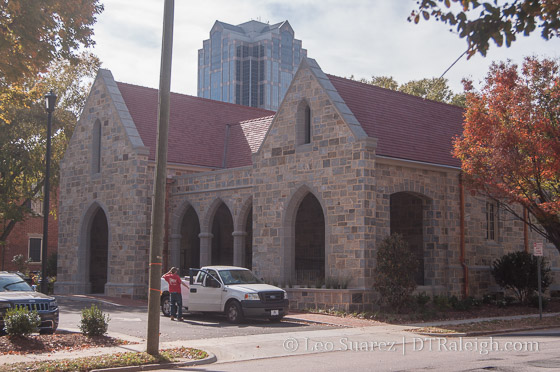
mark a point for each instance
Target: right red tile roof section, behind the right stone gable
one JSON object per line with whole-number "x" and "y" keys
{"x": 407, "y": 127}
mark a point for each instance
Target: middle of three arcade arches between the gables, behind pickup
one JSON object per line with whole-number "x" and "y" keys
{"x": 222, "y": 241}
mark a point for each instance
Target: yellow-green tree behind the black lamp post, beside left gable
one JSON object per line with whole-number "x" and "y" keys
{"x": 23, "y": 137}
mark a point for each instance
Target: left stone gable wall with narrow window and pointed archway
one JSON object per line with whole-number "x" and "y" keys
{"x": 121, "y": 190}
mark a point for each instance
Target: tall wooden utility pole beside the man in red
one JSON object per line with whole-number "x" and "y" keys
{"x": 158, "y": 199}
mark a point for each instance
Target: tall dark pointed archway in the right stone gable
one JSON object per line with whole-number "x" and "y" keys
{"x": 309, "y": 258}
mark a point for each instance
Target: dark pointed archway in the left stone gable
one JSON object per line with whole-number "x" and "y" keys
{"x": 98, "y": 252}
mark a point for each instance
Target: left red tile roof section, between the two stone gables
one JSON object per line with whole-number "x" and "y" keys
{"x": 197, "y": 127}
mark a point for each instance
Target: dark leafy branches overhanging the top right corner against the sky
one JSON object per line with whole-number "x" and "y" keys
{"x": 501, "y": 22}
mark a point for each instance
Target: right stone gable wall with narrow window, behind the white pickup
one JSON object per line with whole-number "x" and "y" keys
{"x": 336, "y": 167}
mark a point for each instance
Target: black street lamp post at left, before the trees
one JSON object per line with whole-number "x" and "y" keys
{"x": 50, "y": 101}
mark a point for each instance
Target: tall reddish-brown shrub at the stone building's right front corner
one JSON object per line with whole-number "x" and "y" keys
{"x": 394, "y": 273}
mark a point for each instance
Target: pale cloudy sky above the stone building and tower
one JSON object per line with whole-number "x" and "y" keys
{"x": 362, "y": 38}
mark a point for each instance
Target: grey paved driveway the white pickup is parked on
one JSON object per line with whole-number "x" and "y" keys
{"x": 130, "y": 318}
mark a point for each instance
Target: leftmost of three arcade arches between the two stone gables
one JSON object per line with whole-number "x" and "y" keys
{"x": 190, "y": 241}
